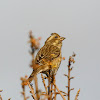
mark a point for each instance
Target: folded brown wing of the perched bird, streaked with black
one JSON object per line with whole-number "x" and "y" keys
{"x": 47, "y": 53}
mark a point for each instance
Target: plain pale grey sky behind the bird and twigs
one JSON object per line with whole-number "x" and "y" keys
{"x": 77, "y": 20}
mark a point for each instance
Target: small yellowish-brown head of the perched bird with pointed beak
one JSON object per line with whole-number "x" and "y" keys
{"x": 55, "y": 39}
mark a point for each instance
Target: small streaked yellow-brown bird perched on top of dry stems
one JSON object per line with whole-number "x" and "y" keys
{"x": 48, "y": 58}
